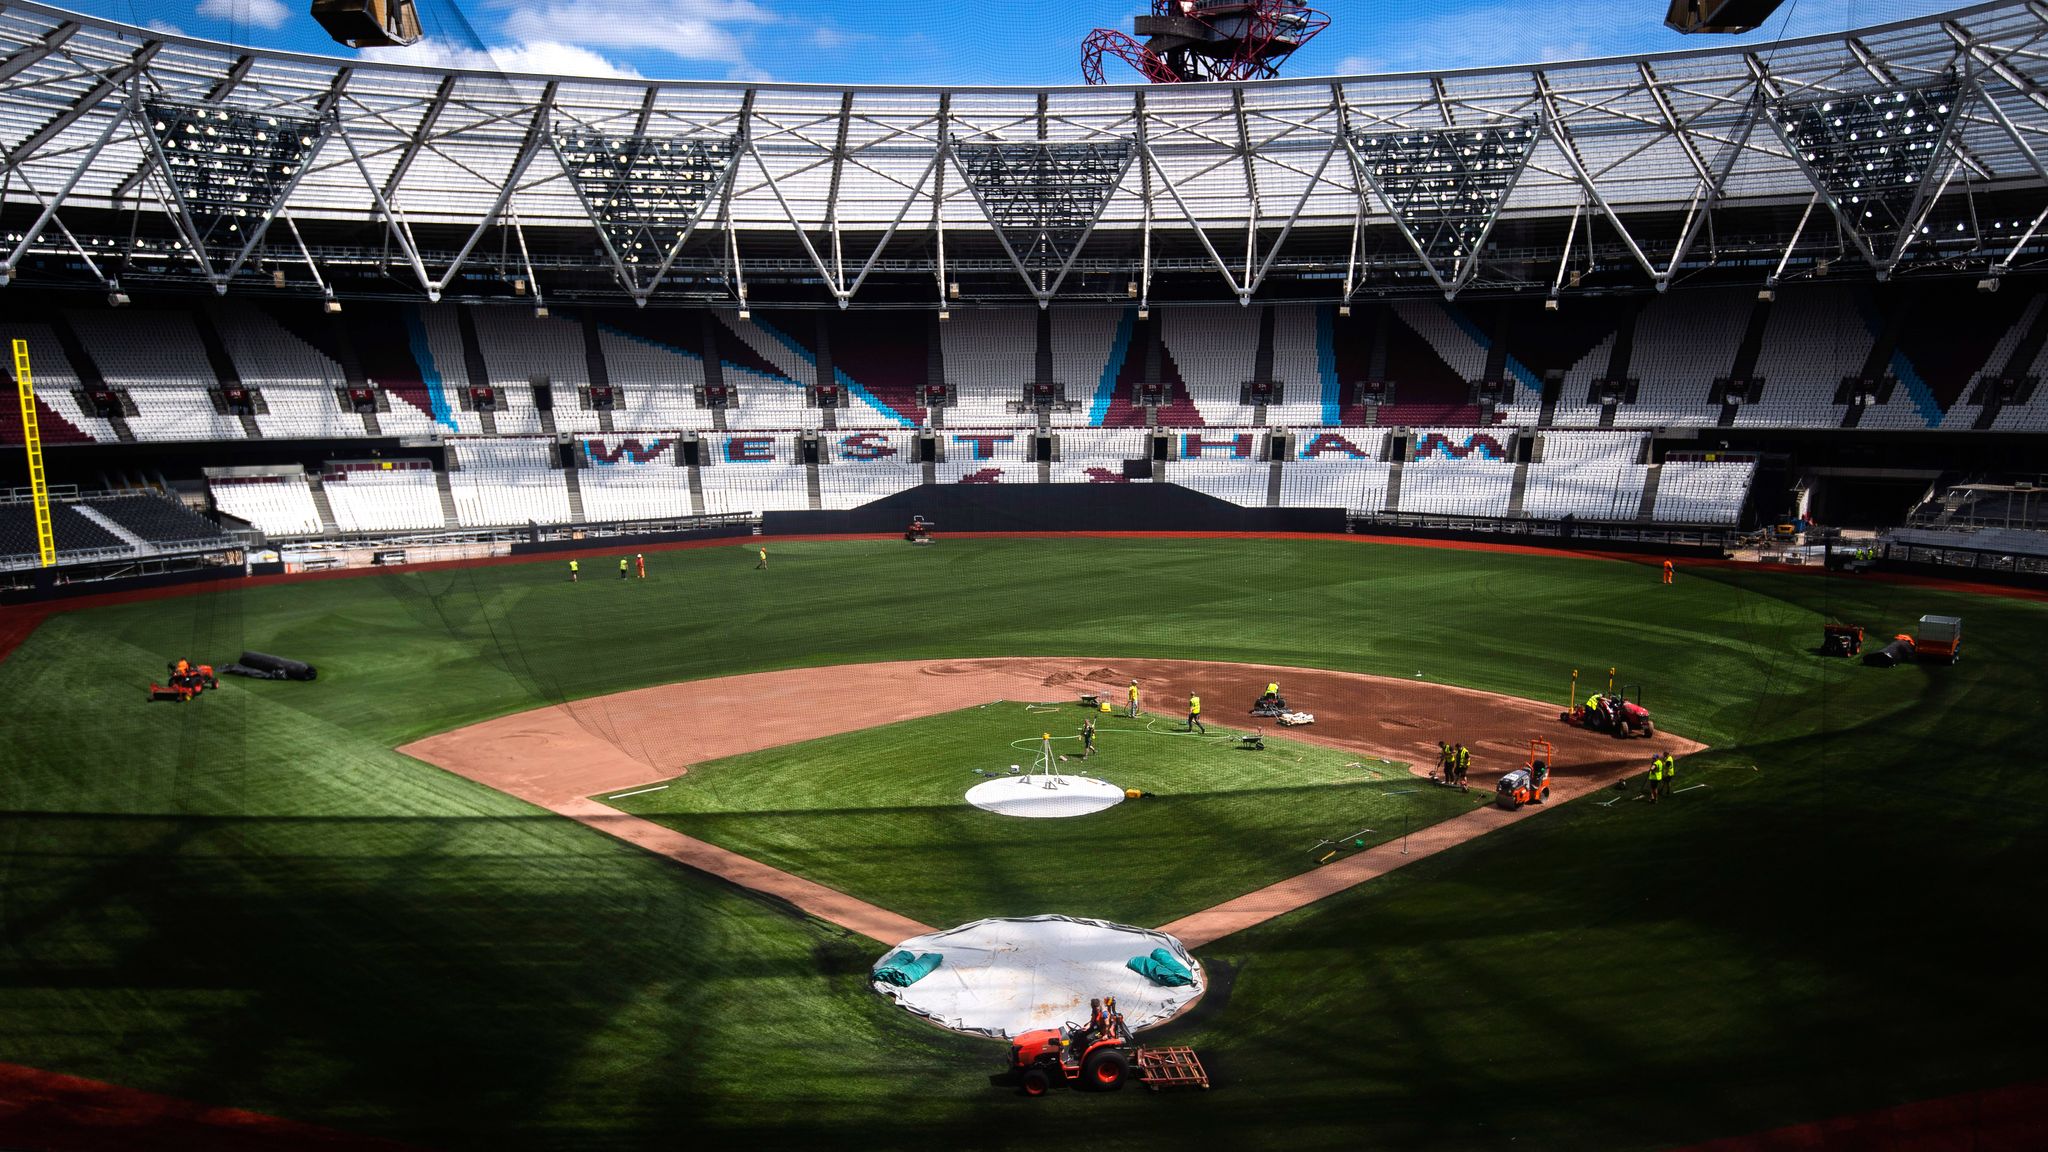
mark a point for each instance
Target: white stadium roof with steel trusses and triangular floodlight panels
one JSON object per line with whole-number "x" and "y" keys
{"x": 1240, "y": 177}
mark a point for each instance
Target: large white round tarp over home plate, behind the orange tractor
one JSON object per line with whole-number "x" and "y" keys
{"x": 1015, "y": 975}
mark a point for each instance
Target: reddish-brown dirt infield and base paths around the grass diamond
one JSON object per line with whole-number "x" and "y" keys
{"x": 560, "y": 757}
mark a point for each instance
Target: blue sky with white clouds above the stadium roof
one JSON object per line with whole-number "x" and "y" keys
{"x": 964, "y": 42}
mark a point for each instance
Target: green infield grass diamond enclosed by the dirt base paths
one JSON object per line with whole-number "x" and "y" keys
{"x": 880, "y": 815}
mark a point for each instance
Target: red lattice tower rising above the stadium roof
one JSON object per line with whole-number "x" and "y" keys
{"x": 1207, "y": 40}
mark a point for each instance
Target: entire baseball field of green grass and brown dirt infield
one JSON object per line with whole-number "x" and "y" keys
{"x": 255, "y": 901}
